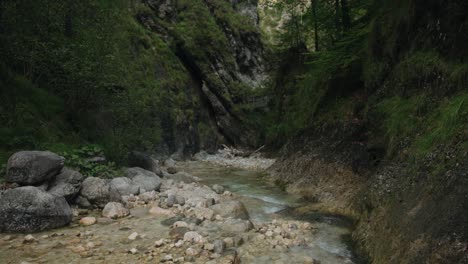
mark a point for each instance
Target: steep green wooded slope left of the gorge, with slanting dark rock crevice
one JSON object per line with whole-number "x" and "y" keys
{"x": 158, "y": 76}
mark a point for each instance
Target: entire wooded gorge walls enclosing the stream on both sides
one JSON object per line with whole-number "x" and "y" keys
{"x": 364, "y": 103}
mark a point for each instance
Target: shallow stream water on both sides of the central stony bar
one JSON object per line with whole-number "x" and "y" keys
{"x": 108, "y": 242}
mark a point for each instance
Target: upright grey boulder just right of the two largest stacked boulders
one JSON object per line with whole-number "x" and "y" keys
{"x": 67, "y": 184}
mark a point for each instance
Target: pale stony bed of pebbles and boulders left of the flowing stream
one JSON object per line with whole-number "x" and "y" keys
{"x": 144, "y": 218}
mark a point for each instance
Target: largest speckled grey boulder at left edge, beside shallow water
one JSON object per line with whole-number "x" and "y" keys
{"x": 29, "y": 209}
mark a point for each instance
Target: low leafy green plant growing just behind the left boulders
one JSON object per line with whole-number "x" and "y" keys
{"x": 79, "y": 159}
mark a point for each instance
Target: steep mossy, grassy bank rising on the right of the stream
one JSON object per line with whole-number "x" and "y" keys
{"x": 376, "y": 127}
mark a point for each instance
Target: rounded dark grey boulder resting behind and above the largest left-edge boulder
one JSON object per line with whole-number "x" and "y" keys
{"x": 33, "y": 167}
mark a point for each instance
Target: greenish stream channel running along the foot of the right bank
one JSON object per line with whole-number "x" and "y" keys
{"x": 266, "y": 202}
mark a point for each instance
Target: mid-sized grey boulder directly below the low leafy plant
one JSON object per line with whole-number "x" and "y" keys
{"x": 99, "y": 192}
